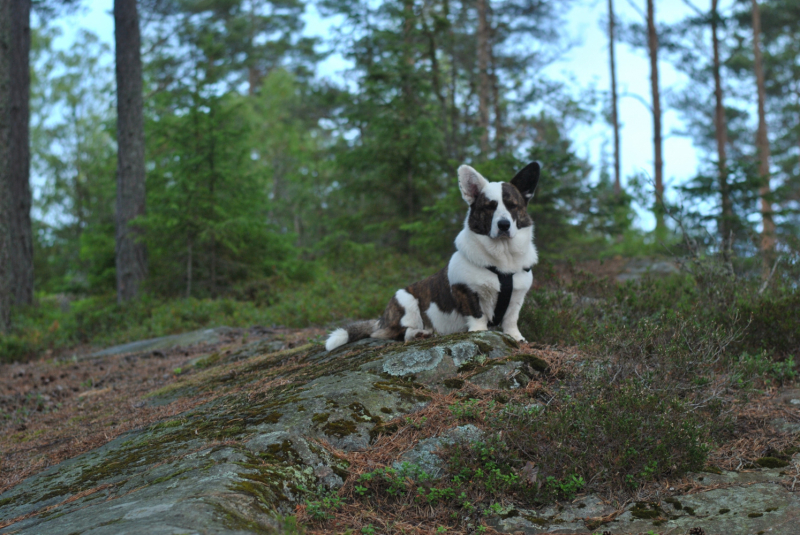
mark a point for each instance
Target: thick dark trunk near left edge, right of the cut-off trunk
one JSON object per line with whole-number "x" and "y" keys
{"x": 21, "y": 254}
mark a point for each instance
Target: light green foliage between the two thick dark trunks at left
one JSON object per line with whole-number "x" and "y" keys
{"x": 73, "y": 149}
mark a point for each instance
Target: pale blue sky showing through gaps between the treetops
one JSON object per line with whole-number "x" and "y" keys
{"x": 586, "y": 63}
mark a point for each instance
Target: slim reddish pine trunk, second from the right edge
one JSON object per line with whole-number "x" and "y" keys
{"x": 721, "y": 128}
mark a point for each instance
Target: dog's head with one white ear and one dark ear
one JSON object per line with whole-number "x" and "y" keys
{"x": 498, "y": 209}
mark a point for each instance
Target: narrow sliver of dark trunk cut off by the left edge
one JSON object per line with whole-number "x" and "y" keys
{"x": 5, "y": 186}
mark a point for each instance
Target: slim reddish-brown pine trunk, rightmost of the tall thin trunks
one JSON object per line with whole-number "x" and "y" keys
{"x": 762, "y": 144}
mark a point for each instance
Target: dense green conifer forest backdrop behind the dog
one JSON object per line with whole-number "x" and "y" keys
{"x": 275, "y": 195}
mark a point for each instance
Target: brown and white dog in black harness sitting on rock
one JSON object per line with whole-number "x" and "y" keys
{"x": 487, "y": 278}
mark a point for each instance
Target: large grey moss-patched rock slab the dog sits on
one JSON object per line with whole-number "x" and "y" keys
{"x": 236, "y": 462}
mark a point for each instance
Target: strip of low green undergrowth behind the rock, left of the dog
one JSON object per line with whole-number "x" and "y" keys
{"x": 56, "y": 323}
